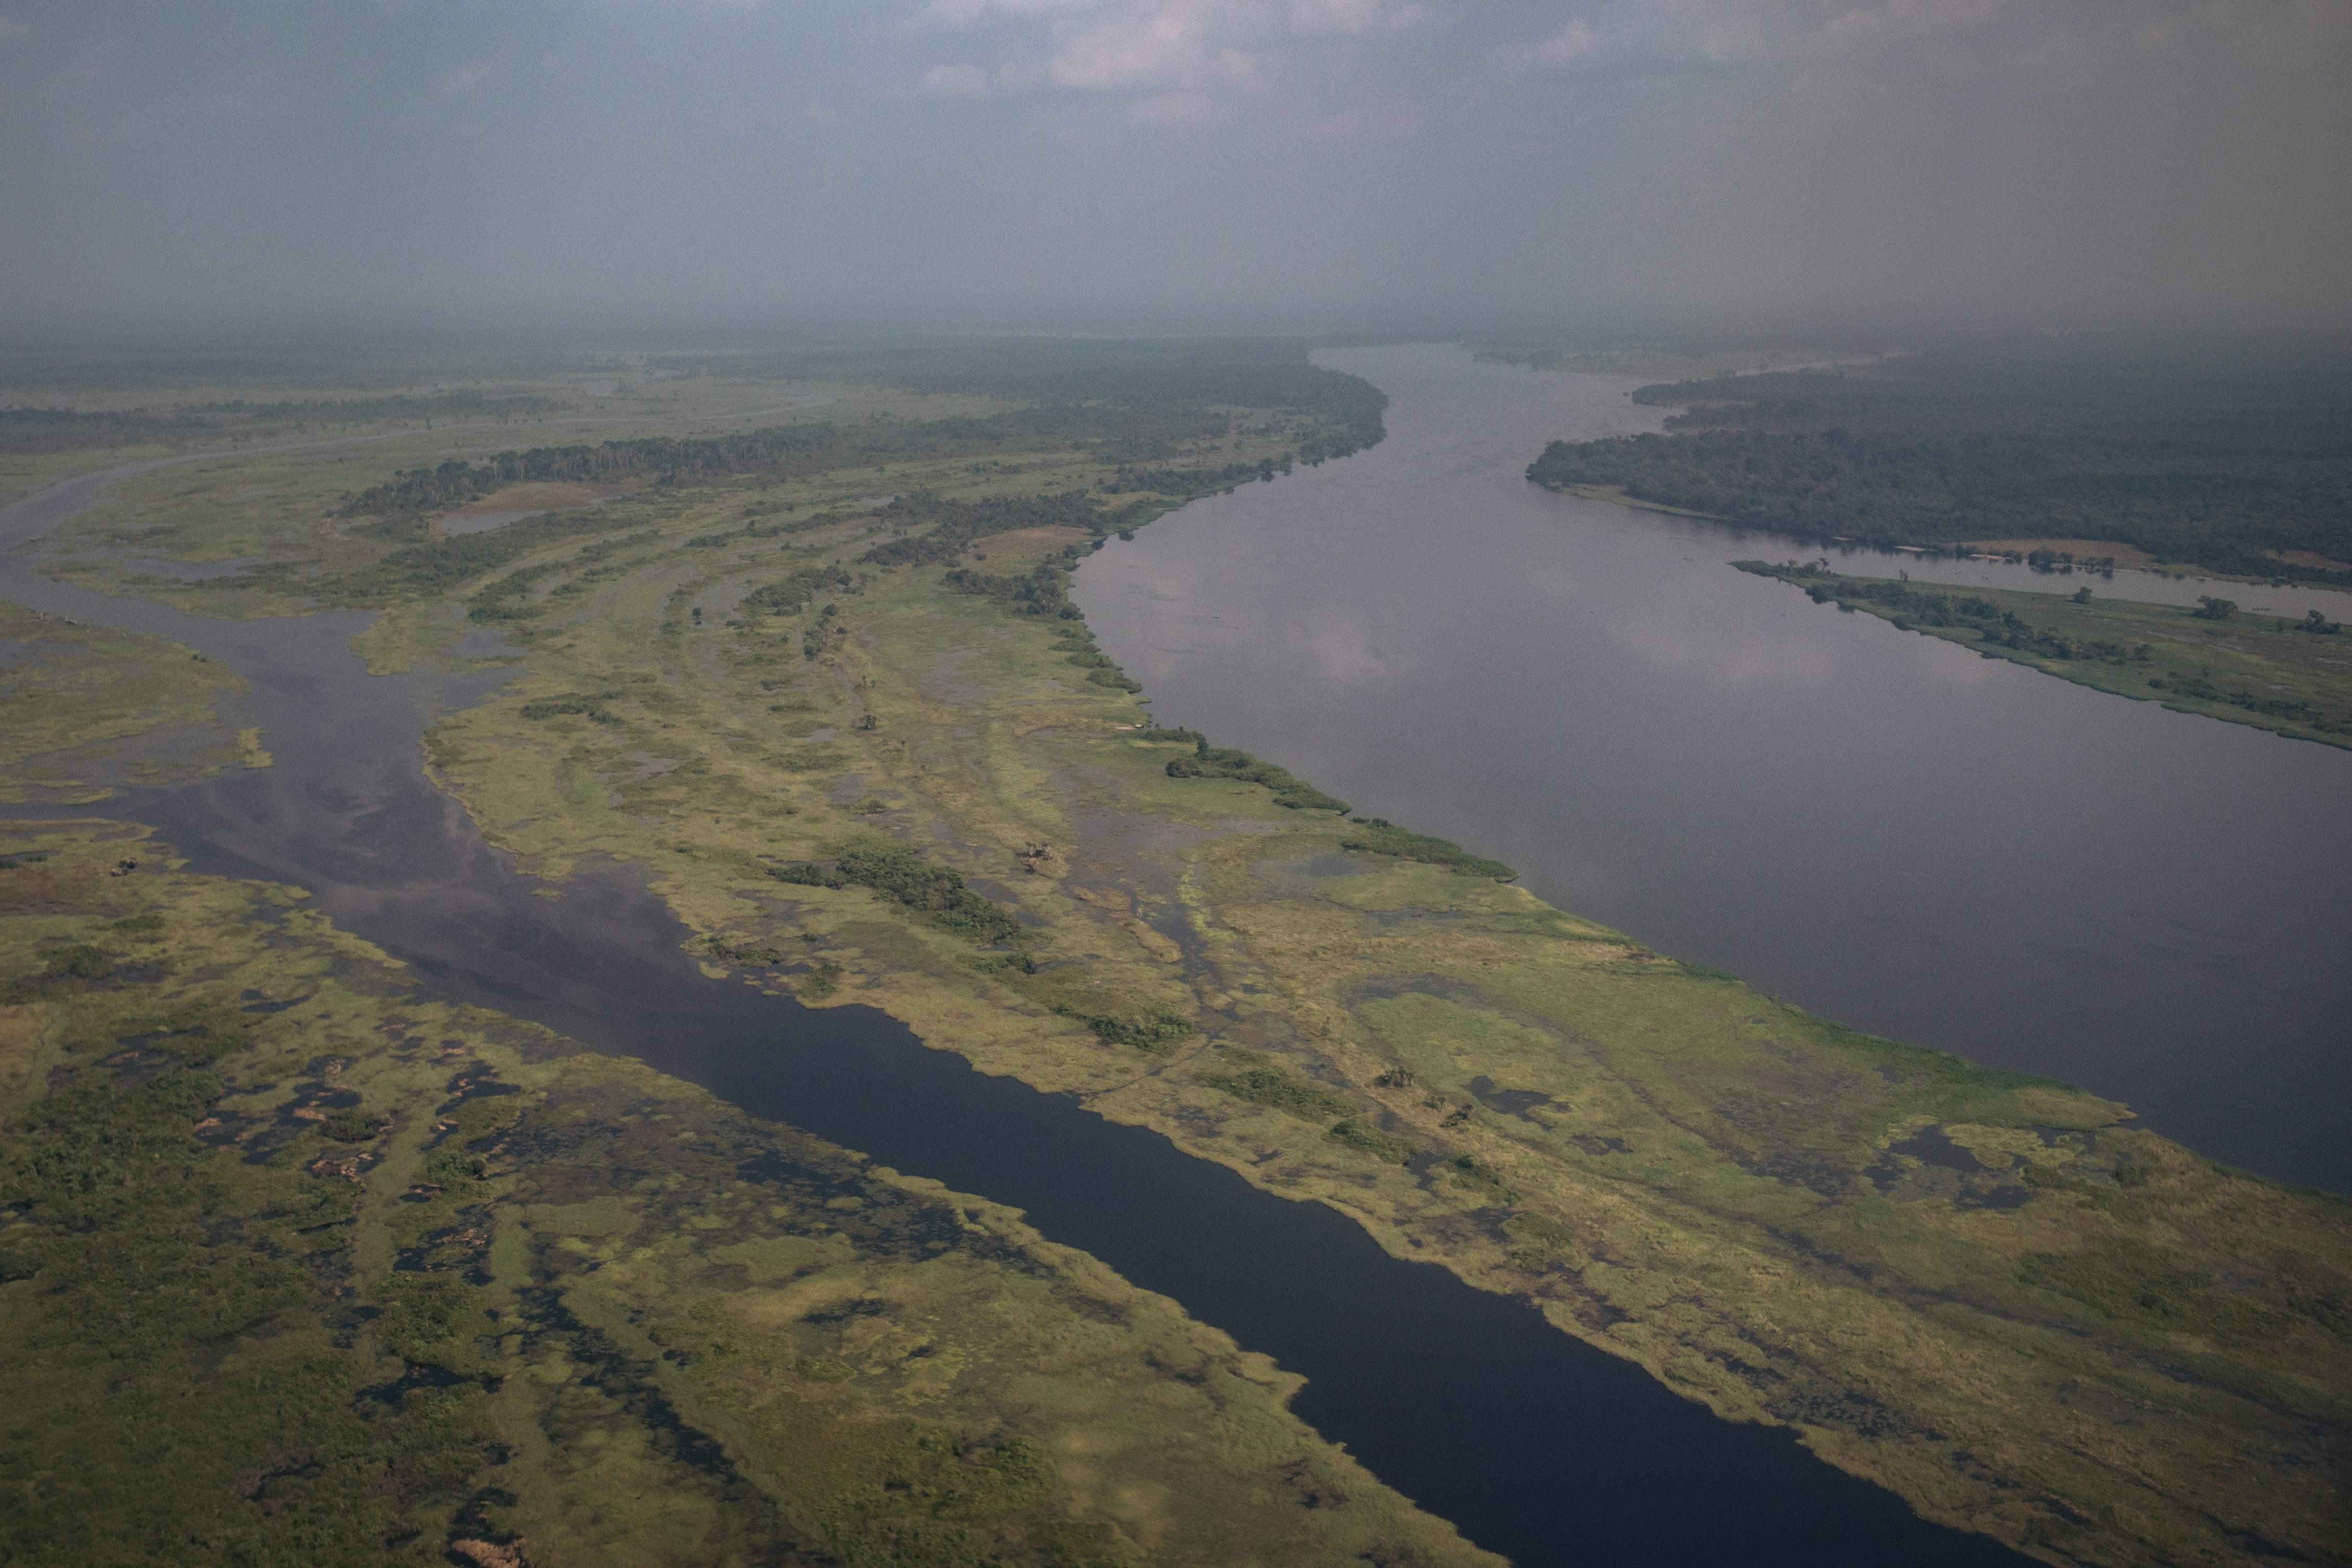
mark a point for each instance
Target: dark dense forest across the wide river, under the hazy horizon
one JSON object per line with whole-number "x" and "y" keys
{"x": 2231, "y": 455}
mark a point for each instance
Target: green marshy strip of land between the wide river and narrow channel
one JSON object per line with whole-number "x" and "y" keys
{"x": 871, "y": 756}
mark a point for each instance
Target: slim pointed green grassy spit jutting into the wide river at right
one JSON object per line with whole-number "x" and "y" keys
{"x": 2285, "y": 676}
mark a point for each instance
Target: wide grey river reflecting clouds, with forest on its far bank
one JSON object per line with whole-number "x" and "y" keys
{"x": 1883, "y": 829}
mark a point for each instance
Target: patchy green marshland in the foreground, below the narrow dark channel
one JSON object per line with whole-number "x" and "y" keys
{"x": 302, "y": 1266}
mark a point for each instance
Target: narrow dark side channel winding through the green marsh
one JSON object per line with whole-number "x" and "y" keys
{"x": 1535, "y": 1445}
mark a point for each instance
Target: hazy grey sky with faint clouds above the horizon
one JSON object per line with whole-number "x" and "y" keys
{"x": 1175, "y": 166}
